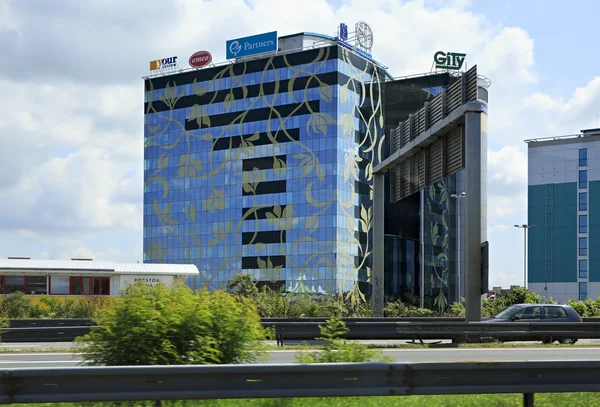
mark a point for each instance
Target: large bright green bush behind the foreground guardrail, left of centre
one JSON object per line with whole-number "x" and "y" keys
{"x": 174, "y": 326}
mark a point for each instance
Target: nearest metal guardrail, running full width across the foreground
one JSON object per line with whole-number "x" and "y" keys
{"x": 130, "y": 383}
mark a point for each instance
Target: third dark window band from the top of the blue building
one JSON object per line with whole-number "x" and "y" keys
{"x": 254, "y": 115}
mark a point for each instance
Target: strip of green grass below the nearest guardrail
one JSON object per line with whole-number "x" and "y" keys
{"x": 484, "y": 400}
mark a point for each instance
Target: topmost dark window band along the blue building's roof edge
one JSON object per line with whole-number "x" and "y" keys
{"x": 283, "y": 61}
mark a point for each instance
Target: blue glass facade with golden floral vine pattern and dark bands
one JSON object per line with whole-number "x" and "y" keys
{"x": 265, "y": 167}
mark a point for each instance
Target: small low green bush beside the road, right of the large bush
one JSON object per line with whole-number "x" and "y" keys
{"x": 337, "y": 350}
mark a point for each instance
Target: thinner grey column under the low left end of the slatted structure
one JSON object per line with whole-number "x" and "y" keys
{"x": 378, "y": 244}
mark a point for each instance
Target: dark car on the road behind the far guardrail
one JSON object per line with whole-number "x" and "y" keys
{"x": 538, "y": 313}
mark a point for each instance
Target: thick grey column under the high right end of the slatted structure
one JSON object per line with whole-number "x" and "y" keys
{"x": 473, "y": 202}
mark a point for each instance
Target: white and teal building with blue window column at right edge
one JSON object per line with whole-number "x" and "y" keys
{"x": 564, "y": 216}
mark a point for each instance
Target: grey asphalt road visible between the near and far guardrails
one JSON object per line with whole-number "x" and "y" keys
{"x": 39, "y": 359}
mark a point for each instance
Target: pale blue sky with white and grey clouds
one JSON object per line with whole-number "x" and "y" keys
{"x": 71, "y": 115}
